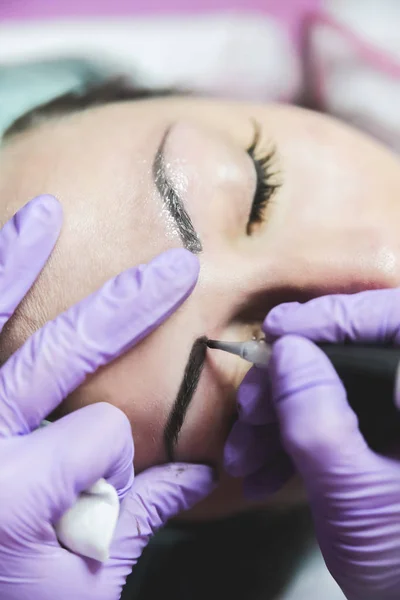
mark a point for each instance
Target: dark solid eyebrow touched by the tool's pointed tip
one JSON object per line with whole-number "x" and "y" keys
{"x": 191, "y": 376}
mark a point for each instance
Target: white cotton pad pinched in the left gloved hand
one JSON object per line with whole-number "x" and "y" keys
{"x": 88, "y": 527}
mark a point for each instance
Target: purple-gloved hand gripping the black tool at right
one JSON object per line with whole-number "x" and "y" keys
{"x": 354, "y": 493}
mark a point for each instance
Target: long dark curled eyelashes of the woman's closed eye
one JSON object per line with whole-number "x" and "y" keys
{"x": 265, "y": 187}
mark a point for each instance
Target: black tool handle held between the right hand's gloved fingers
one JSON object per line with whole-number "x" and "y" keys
{"x": 370, "y": 375}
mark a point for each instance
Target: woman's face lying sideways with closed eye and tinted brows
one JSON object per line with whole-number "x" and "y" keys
{"x": 121, "y": 172}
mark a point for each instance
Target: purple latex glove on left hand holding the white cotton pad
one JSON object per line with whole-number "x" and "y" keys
{"x": 43, "y": 471}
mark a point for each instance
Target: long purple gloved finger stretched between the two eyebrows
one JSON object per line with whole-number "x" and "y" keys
{"x": 57, "y": 358}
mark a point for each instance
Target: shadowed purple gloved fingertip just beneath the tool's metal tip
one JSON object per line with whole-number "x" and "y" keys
{"x": 254, "y": 398}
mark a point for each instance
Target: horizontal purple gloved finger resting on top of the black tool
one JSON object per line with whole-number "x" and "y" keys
{"x": 372, "y": 316}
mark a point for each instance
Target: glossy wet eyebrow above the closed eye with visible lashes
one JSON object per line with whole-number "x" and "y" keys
{"x": 173, "y": 202}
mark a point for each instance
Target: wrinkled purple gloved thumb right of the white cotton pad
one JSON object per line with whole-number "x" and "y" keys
{"x": 157, "y": 495}
